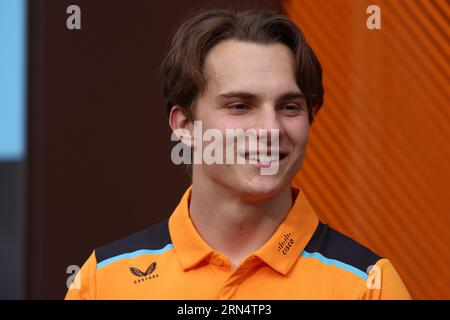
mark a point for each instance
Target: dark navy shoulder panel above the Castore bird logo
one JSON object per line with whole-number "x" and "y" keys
{"x": 153, "y": 238}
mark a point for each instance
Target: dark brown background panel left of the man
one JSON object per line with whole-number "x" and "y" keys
{"x": 99, "y": 144}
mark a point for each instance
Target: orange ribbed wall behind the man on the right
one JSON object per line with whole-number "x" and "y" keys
{"x": 378, "y": 160}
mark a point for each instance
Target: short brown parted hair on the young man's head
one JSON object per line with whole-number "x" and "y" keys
{"x": 183, "y": 66}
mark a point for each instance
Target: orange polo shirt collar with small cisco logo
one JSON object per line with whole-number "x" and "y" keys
{"x": 280, "y": 252}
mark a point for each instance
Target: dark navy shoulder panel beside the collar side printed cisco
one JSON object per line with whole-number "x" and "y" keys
{"x": 334, "y": 245}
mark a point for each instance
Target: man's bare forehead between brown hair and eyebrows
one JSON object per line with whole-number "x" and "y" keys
{"x": 237, "y": 65}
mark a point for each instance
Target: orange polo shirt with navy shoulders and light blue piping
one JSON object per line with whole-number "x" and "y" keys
{"x": 304, "y": 259}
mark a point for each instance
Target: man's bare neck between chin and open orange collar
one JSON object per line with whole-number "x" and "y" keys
{"x": 232, "y": 224}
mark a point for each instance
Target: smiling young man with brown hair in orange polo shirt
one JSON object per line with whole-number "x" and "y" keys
{"x": 238, "y": 233}
